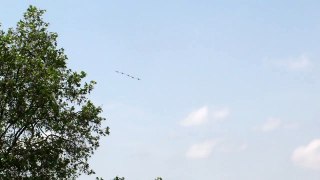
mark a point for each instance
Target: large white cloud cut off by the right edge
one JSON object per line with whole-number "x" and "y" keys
{"x": 308, "y": 156}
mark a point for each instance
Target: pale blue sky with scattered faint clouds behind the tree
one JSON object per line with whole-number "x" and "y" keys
{"x": 229, "y": 90}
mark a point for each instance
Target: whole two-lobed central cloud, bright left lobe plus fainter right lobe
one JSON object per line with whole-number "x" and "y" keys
{"x": 203, "y": 114}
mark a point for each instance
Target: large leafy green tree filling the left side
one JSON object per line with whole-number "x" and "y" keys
{"x": 48, "y": 126}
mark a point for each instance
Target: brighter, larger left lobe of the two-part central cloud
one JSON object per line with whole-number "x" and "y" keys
{"x": 196, "y": 117}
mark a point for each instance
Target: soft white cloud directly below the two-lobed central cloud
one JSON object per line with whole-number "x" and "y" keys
{"x": 201, "y": 150}
